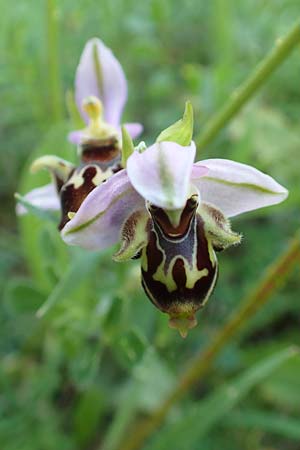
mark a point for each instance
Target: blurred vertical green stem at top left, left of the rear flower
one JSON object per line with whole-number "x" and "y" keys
{"x": 54, "y": 80}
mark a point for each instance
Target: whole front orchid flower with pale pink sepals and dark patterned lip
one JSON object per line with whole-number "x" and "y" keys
{"x": 174, "y": 214}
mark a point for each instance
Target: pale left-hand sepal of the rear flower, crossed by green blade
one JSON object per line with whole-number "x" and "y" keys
{"x": 44, "y": 197}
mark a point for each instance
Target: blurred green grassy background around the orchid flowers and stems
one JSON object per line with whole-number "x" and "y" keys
{"x": 103, "y": 355}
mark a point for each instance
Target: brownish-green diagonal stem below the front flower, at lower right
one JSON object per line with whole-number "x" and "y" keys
{"x": 275, "y": 276}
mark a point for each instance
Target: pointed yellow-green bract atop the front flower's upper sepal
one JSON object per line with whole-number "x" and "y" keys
{"x": 181, "y": 131}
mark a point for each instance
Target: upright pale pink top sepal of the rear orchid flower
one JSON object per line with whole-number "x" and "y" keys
{"x": 105, "y": 81}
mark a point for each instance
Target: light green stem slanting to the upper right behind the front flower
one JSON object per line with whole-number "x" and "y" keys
{"x": 242, "y": 94}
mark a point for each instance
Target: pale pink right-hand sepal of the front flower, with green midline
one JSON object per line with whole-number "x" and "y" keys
{"x": 235, "y": 188}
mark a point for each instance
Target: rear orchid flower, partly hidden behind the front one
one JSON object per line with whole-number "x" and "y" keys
{"x": 101, "y": 93}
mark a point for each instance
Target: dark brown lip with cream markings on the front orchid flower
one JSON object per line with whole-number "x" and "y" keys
{"x": 179, "y": 265}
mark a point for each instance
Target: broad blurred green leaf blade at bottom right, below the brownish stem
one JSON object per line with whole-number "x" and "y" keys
{"x": 199, "y": 419}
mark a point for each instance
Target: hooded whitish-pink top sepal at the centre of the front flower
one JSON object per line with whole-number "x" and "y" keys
{"x": 161, "y": 174}
